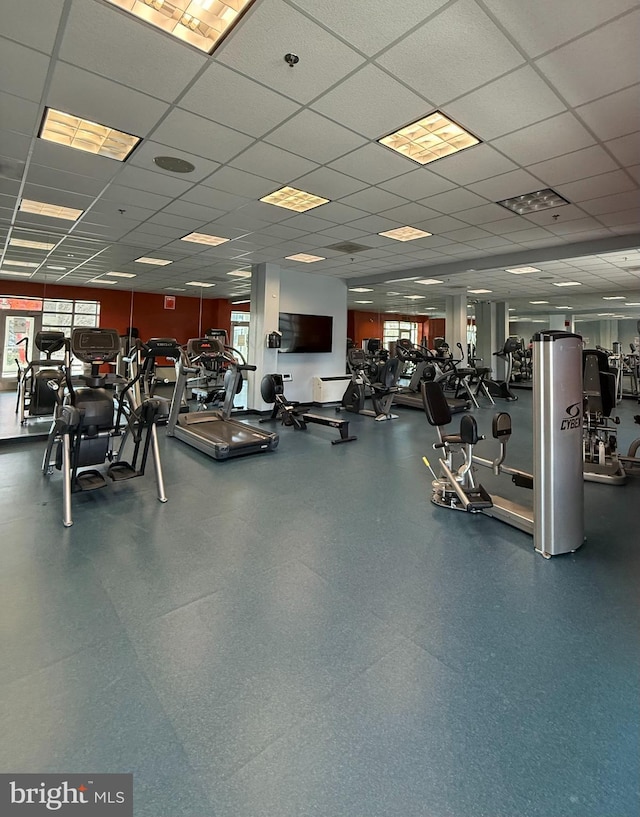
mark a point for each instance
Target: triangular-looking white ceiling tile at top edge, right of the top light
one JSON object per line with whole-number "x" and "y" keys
{"x": 373, "y": 30}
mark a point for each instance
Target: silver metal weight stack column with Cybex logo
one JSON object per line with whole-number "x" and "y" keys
{"x": 558, "y": 489}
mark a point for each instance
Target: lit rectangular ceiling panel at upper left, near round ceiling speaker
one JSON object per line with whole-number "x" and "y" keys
{"x": 75, "y": 132}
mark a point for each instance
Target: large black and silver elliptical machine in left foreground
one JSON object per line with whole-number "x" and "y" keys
{"x": 95, "y": 421}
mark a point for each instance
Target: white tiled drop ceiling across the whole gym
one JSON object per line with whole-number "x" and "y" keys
{"x": 552, "y": 90}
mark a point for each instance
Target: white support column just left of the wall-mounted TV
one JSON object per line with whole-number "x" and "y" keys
{"x": 265, "y": 308}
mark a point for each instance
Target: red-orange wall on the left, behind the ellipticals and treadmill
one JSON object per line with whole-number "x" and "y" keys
{"x": 146, "y": 311}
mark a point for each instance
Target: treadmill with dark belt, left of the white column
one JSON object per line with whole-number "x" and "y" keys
{"x": 214, "y": 432}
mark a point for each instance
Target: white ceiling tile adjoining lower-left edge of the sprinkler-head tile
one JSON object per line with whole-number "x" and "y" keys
{"x": 226, "y": 96}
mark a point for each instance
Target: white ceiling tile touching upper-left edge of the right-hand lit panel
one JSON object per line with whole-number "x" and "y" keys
{"x": 370, "y": 102}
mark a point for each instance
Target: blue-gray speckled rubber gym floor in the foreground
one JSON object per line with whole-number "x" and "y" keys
{"x": 302, "y": 633}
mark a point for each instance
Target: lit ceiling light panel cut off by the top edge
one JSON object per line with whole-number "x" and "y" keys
{"x": 202, "y": 24}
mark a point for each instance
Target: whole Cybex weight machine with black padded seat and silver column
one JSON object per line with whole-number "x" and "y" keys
{"x": 557, "y": 518}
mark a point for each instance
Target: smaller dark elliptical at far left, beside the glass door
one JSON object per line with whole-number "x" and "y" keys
{"x": 37, "y": 381}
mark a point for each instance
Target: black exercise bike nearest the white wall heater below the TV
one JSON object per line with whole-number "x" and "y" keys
{"x": 381, "y": 391}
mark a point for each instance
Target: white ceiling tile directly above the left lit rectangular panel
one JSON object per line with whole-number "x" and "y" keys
{"x": 81, "y": 93}
